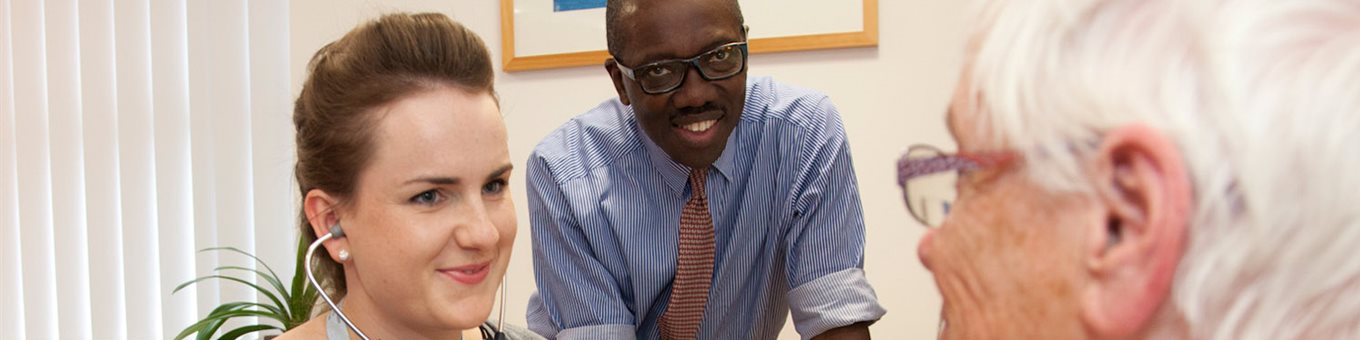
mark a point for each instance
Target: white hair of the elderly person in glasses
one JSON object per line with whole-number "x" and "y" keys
{"x": 1263, "y": 99}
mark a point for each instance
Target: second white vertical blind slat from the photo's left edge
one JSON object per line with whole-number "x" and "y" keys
{"x": 69, "y": 203}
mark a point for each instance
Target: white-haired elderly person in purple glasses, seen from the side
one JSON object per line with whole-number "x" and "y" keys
{"x": 1135, "y": 169}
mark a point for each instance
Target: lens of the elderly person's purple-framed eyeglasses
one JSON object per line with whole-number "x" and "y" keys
{"x": 930, "y": 198}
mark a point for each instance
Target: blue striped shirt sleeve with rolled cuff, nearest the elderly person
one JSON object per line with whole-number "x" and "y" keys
{"x": 826, "y": 241}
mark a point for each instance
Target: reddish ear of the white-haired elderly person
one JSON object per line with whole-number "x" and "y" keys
{"x": 1144, "y": 190}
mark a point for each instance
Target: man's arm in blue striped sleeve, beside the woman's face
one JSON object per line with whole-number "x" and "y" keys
{"x": 579, "y": 296}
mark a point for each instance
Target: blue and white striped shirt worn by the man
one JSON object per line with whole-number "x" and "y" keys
{"x": 606, "y": 202}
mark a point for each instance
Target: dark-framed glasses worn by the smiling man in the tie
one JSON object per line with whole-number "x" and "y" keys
{"x": 667, "y": 75}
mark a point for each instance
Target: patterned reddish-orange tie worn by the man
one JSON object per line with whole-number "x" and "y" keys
{"x": 694, "y": 267}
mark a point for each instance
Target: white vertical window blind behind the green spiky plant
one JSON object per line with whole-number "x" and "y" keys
{"x": 134, "y": 134}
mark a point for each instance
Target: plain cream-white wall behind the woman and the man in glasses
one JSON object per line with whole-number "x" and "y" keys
{"x": 891, "y": 97}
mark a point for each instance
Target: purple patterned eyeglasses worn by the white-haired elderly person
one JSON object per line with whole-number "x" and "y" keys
{"x": 930, "y": 179}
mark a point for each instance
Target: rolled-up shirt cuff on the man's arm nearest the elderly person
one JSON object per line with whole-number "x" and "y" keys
{"x": 837, "y": 300}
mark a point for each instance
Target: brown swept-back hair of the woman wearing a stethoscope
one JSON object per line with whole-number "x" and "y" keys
{"x": 375, "y": 65}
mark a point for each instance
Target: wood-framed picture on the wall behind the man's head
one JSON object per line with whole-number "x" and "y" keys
{"x": 538, "y": 35}
